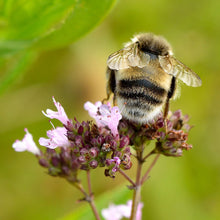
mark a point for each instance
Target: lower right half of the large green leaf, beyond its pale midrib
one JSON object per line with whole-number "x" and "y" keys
{"x": 80, "y": 20}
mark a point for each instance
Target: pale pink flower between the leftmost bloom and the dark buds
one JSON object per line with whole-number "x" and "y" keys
{"x": 57, "y": 138}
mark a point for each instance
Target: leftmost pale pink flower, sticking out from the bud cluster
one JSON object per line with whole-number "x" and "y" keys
{"x": 27, "y": 144}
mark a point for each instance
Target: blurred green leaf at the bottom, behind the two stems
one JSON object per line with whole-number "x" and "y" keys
{"x": 119, "y": 195}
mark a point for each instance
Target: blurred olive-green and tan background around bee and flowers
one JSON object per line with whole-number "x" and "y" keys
{"x": 179, "y": 188}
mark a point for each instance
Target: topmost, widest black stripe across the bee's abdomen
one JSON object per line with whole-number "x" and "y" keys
{"x": 144, "y": 84}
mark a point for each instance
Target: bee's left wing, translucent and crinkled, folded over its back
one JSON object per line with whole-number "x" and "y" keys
{"x": 127, "y": 57}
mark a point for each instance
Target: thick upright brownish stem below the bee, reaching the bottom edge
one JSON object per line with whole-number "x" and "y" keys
{"x": 137, "y": 189}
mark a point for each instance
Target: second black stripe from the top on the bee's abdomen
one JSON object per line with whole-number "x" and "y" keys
{"x": 140, "y": 96}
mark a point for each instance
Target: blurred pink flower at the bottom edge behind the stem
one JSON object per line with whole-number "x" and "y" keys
{"x": 117, "y": 212}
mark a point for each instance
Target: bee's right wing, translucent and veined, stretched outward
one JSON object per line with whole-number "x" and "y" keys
{"x": 176, "y": 68}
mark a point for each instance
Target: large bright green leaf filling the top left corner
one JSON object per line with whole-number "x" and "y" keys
{"x": 42, "y": 24}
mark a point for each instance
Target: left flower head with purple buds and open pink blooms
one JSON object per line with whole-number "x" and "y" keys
{"x": 81, "y": 146}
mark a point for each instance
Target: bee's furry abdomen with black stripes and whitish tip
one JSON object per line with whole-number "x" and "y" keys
{"x": 140, "y": 100}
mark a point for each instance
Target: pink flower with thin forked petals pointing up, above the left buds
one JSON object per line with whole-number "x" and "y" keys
{"x": 60, "y": 114}
